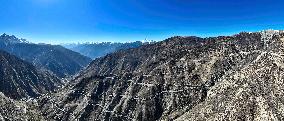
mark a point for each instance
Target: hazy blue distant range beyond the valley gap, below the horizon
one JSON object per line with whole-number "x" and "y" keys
{"x": 95, "y": 50}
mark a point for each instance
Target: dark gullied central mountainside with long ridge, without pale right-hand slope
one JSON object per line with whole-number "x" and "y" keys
{"x": 161, "y": 81}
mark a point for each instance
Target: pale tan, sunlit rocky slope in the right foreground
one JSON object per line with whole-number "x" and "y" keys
{"x": 252, "y": 92}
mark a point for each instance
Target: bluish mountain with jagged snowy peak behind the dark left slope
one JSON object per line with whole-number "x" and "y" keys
{"x": 57, "y": 59}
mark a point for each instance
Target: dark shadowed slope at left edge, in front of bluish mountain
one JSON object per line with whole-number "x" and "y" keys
{"x": 19, "y": 79}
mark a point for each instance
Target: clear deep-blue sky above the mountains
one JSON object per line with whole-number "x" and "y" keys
{"x": 67, "y": 21}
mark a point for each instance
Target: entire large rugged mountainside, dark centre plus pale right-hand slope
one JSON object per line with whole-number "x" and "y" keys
{"x": 179, "y": 78}
